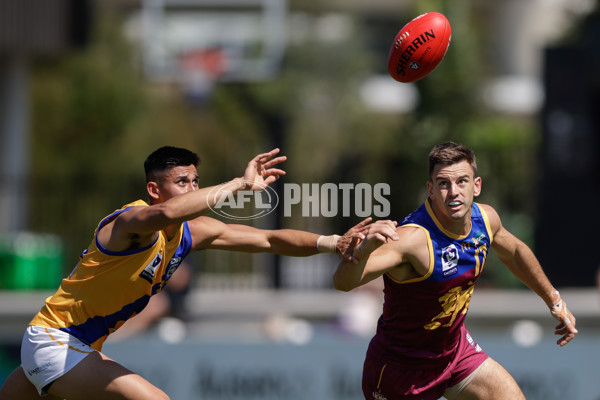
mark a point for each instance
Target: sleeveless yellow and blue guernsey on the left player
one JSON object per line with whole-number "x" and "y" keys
{"x": 107, "y": 288}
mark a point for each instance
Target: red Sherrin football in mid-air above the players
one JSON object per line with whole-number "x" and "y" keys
{"x": 419, "y": 47}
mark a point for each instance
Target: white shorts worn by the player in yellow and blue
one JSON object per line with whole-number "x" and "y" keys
{"x": 47, "y": 354}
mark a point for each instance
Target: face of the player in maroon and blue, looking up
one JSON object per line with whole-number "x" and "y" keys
{"x": 452, "y": 191}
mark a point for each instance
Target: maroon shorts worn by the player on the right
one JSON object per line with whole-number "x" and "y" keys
{"x": 383, "y": 380}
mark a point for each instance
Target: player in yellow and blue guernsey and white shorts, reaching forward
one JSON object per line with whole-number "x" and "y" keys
{"x": 134, "y": 252}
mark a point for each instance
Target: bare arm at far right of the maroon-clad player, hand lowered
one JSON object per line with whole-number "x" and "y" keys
{"x": 521, "y": 261}
